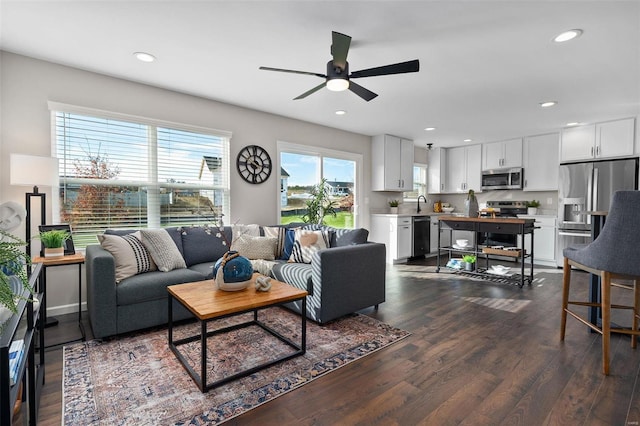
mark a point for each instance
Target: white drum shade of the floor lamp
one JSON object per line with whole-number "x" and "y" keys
{"x": 32, "y": 170}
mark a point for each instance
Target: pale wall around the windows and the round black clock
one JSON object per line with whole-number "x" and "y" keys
{"x": 27, "y": 85}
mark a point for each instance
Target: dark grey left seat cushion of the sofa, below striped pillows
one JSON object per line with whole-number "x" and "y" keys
{"x": 152, "y": 285}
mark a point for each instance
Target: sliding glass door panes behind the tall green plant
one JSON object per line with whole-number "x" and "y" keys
{"x": 303, "y": 167}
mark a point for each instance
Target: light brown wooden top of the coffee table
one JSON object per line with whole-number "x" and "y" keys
{"x": 206, "y": 301}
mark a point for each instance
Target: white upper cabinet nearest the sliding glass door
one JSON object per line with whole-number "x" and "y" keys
{"x": 391, "y": 163}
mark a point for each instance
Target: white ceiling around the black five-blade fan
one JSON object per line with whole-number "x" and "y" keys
{"x": 485, "y": 65}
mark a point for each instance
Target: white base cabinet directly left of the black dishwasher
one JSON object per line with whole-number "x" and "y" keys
{"x": 396, "y": 232}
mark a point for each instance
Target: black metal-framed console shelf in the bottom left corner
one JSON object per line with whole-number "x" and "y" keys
{"x": 23, "y": 325}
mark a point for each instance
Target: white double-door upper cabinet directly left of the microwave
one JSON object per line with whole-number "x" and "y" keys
{"x": 464, "y": 169}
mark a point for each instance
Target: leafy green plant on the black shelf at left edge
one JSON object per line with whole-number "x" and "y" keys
{"x": 13, "y": 274}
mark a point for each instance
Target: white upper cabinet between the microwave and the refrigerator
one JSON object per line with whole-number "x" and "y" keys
{"x": 540, "y": 162}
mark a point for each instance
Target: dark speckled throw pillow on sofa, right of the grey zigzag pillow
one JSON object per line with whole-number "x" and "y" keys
{"x": 202, "y": 244}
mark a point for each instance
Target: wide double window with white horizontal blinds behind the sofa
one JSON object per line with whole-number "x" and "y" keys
{"x": 117, "y": 172}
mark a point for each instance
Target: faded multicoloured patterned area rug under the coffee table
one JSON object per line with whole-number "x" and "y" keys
{"x": 138, "y": 380}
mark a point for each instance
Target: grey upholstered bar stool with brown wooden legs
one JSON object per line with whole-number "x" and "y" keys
{"x": 613, "y": 255}
